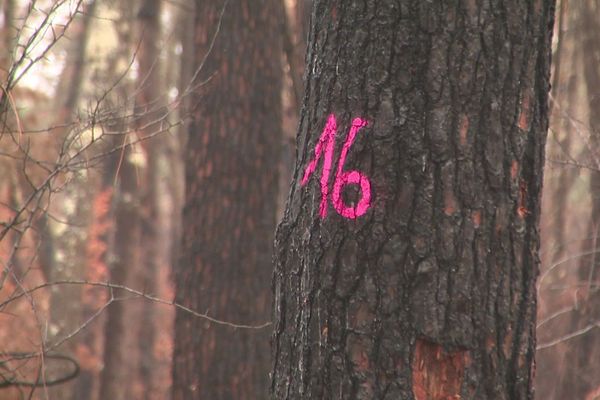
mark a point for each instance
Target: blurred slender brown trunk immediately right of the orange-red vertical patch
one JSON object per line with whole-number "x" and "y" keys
{"x": 125, "y": 173}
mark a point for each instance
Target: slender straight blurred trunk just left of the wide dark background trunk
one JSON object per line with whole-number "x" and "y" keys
{"x": 149, "y": 115}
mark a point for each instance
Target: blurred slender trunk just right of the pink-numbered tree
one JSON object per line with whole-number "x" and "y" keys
{"x": 561, "y": 236}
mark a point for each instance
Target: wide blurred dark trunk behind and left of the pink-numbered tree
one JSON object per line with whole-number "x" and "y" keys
{"x": 230, "y": 204}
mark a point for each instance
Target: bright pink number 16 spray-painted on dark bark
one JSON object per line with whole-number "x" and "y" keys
{"x": 342, "y": 178}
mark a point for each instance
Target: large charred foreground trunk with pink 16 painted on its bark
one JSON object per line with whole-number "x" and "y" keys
{"x": 407, "y": 269}
